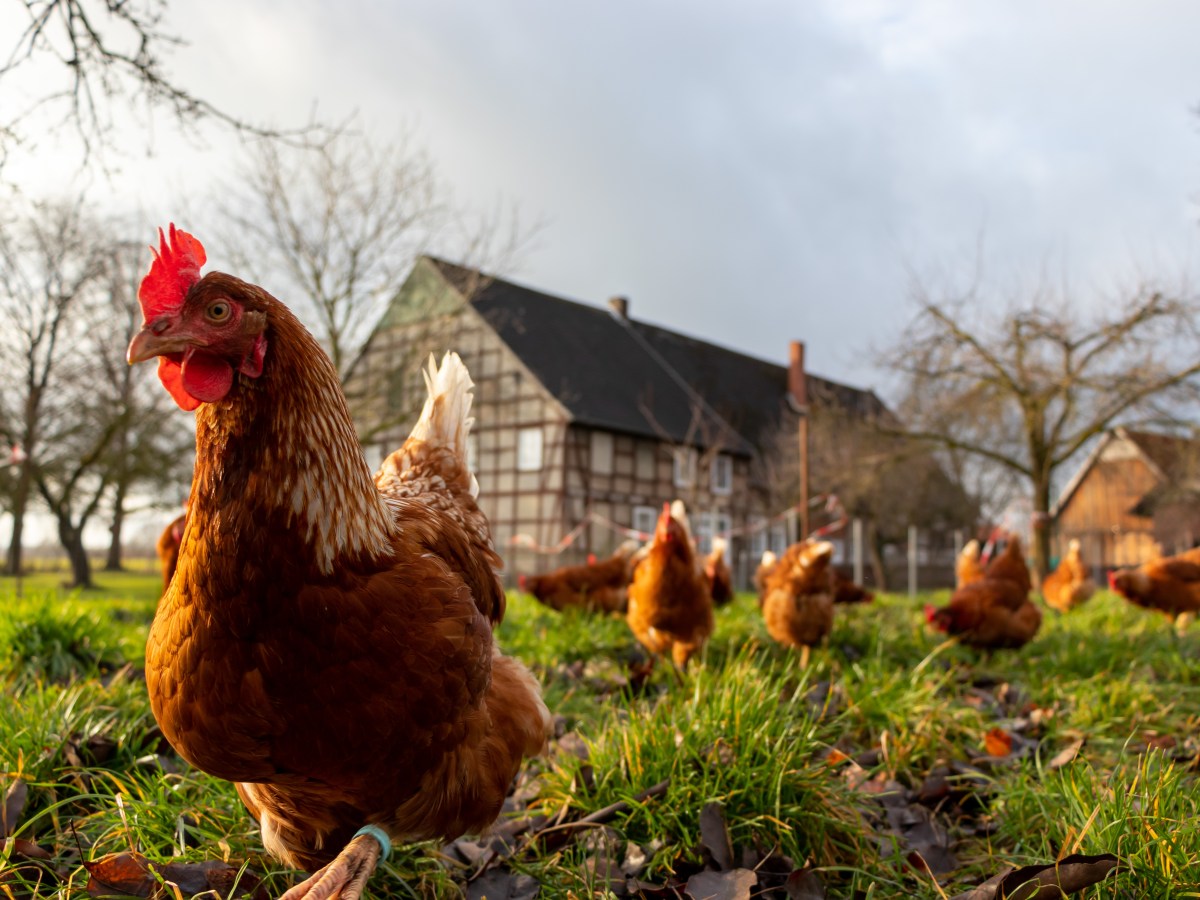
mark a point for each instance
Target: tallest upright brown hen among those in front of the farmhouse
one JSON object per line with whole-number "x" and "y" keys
{"x": 670, "y": 609}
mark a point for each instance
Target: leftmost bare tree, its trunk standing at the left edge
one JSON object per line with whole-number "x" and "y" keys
{"x": 47, "y": 266}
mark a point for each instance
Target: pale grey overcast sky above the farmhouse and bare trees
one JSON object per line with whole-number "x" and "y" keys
{"x": 745, "y": 172}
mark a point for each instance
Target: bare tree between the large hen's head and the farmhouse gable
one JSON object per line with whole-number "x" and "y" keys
{"x": 334, "y": 229}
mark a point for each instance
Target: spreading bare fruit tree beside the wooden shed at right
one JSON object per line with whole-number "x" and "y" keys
{"x": 1025, "y": 386}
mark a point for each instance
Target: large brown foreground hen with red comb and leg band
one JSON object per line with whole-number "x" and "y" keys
{"x": 327, "y": 641}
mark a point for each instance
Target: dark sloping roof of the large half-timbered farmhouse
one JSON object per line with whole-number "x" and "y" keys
{"x": 629, "y": 376}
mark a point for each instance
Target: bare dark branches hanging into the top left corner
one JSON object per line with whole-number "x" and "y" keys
{"x": 89, "y": 57}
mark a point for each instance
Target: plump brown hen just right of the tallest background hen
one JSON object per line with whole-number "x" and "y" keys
{"x": 799, "y": 599}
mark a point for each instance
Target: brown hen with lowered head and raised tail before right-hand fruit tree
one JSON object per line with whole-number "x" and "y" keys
{"x": 995, "y": 611}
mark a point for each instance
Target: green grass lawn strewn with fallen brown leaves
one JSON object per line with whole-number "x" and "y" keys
{"x": 895, "y": 766}
